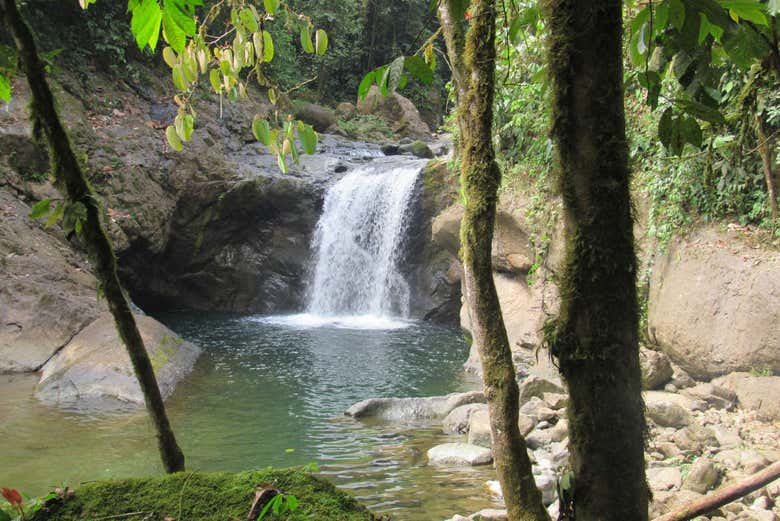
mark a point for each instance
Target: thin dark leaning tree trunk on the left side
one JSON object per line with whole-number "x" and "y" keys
{"x": 70, "y": 179}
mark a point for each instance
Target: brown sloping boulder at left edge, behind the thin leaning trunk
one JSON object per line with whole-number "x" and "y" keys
{"x": 47, "y": 293}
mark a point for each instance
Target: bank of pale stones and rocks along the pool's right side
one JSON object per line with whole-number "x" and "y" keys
{"x": 702, "y": 436}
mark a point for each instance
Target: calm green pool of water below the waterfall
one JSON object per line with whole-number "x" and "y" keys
{"x": 267, "y": 394}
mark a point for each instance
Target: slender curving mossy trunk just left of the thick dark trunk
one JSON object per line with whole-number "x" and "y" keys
{"x": 480, "y": 179}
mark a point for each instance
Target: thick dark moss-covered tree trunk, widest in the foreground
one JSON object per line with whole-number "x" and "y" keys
{"x": 596, "y": 335}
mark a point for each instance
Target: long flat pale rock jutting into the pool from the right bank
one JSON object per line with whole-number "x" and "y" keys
{"x": 405, "y": 409}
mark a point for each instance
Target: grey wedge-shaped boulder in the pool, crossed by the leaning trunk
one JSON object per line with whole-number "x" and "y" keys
{"x": 94, "y": 366}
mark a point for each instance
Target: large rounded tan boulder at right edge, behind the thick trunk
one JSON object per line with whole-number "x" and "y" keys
{"x": 714, "y": 305}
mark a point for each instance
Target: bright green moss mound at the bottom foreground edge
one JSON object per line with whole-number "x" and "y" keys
{"x": 205, "y": 496}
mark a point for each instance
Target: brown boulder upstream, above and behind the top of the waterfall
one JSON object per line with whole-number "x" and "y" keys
{"x": 399, "y": 112}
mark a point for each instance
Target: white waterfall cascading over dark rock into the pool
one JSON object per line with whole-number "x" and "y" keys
{"x": 358, "y": 241}
